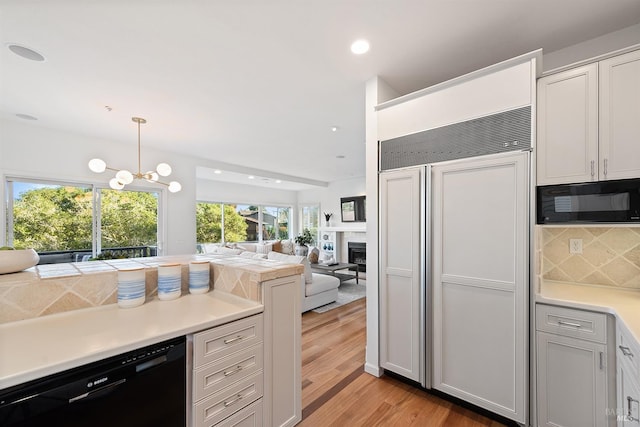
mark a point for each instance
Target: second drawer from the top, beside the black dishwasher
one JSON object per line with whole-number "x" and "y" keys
{"x": 220, "y": 374}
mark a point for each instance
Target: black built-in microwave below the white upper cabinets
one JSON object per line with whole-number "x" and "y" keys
{"x": 602, "y": 201}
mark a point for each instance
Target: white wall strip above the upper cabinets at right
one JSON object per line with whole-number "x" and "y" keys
{"x": 592, "y": 48}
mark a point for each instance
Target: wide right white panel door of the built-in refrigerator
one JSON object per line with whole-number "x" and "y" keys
{"x": 480, "y": 281}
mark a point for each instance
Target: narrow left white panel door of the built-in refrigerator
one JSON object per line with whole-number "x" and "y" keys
{"x": 400, "y": 273}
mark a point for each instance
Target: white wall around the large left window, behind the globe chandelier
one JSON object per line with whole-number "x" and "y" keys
{"x": 29, "y": 151}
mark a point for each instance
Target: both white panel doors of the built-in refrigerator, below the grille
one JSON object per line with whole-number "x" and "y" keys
{"x": 454, "y": 240}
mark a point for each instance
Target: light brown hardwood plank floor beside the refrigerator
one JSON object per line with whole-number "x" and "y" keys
{"x": 337, "y": 392}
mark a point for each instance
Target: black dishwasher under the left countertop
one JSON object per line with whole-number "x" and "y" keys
{"x": 145, "y": 387}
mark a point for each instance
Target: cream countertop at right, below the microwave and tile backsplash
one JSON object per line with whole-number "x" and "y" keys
{"x": 624, "y": 304}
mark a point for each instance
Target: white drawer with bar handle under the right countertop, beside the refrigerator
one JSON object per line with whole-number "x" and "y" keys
{"x": 569, "y": 322}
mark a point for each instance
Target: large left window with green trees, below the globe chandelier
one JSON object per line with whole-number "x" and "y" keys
{"x": 76, "y": 221}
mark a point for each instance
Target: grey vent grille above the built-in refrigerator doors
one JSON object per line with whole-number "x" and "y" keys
{"x": 497, "y": 133}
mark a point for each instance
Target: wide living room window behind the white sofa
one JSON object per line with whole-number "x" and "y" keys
{"x": 240, "y": 223}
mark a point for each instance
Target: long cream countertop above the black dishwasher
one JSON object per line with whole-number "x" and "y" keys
{"x": 35, "y": 348}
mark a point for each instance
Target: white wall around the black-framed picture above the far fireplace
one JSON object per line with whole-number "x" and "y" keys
{"x": 329, "y": 198}
